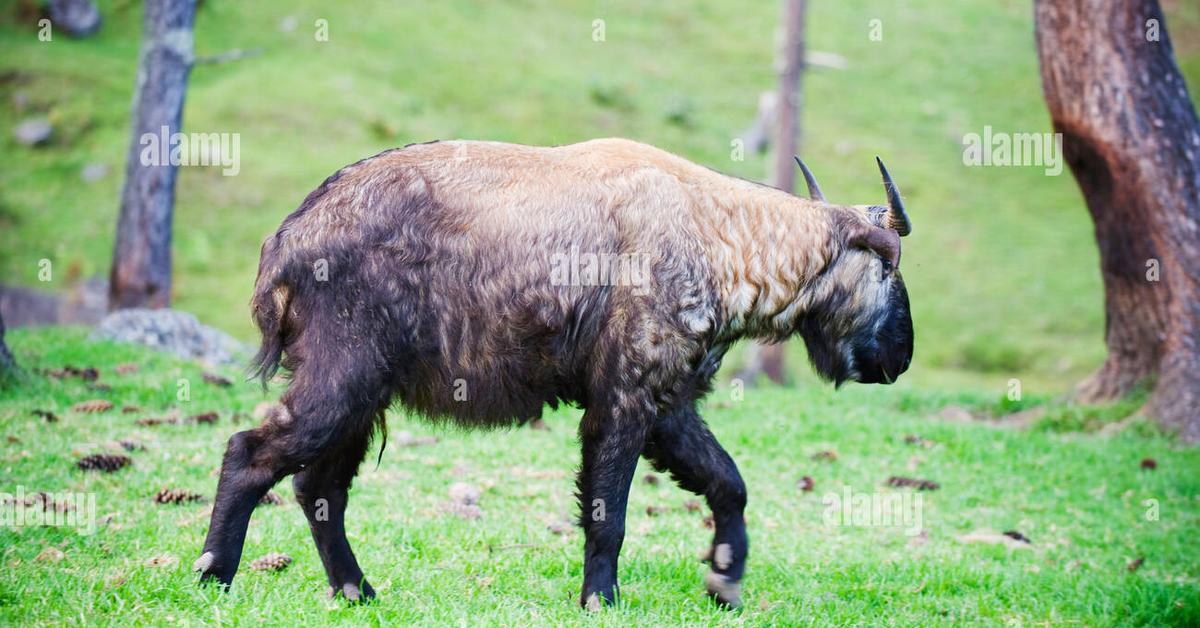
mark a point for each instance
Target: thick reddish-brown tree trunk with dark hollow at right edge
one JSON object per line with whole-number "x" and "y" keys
{"x": 1132, "y": 140}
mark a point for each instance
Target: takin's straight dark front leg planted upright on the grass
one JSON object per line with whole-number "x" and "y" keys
{"x": 613, "y": 440}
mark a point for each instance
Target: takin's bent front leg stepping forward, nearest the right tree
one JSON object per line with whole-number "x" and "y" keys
{"x": 681, "y": 444}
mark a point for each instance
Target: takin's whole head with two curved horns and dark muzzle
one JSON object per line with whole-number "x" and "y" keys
{"x": 859, "y": 326}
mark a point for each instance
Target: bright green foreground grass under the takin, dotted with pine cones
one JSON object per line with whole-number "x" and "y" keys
{"x": 1081, "y": 498}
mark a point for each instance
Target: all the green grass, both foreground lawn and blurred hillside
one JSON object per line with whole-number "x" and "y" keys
{"x": 1001, "y": 267}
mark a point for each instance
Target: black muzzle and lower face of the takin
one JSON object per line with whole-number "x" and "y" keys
{"x": 874, "y": 355}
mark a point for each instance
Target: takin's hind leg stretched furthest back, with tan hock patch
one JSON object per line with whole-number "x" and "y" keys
{"x": 325, "y": 405}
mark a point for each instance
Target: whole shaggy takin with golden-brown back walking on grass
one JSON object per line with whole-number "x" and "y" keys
{"x": 478, "y": 283}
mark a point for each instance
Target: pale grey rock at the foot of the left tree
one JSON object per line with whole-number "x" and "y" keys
{"x": 173, "y": 332}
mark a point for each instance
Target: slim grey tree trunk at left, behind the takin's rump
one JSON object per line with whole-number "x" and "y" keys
{"x": 141, "y": 276}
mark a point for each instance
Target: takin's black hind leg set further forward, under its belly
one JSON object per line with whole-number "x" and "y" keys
{"x": 322, "y": 493}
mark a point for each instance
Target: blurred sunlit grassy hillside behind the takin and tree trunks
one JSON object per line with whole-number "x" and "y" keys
{"x": 1003, "y": 267}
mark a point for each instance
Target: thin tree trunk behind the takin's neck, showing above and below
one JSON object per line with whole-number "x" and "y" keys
{"x": 769, "y": 360}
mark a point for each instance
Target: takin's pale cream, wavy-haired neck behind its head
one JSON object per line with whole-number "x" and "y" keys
{"x": 765, "y": 247}
